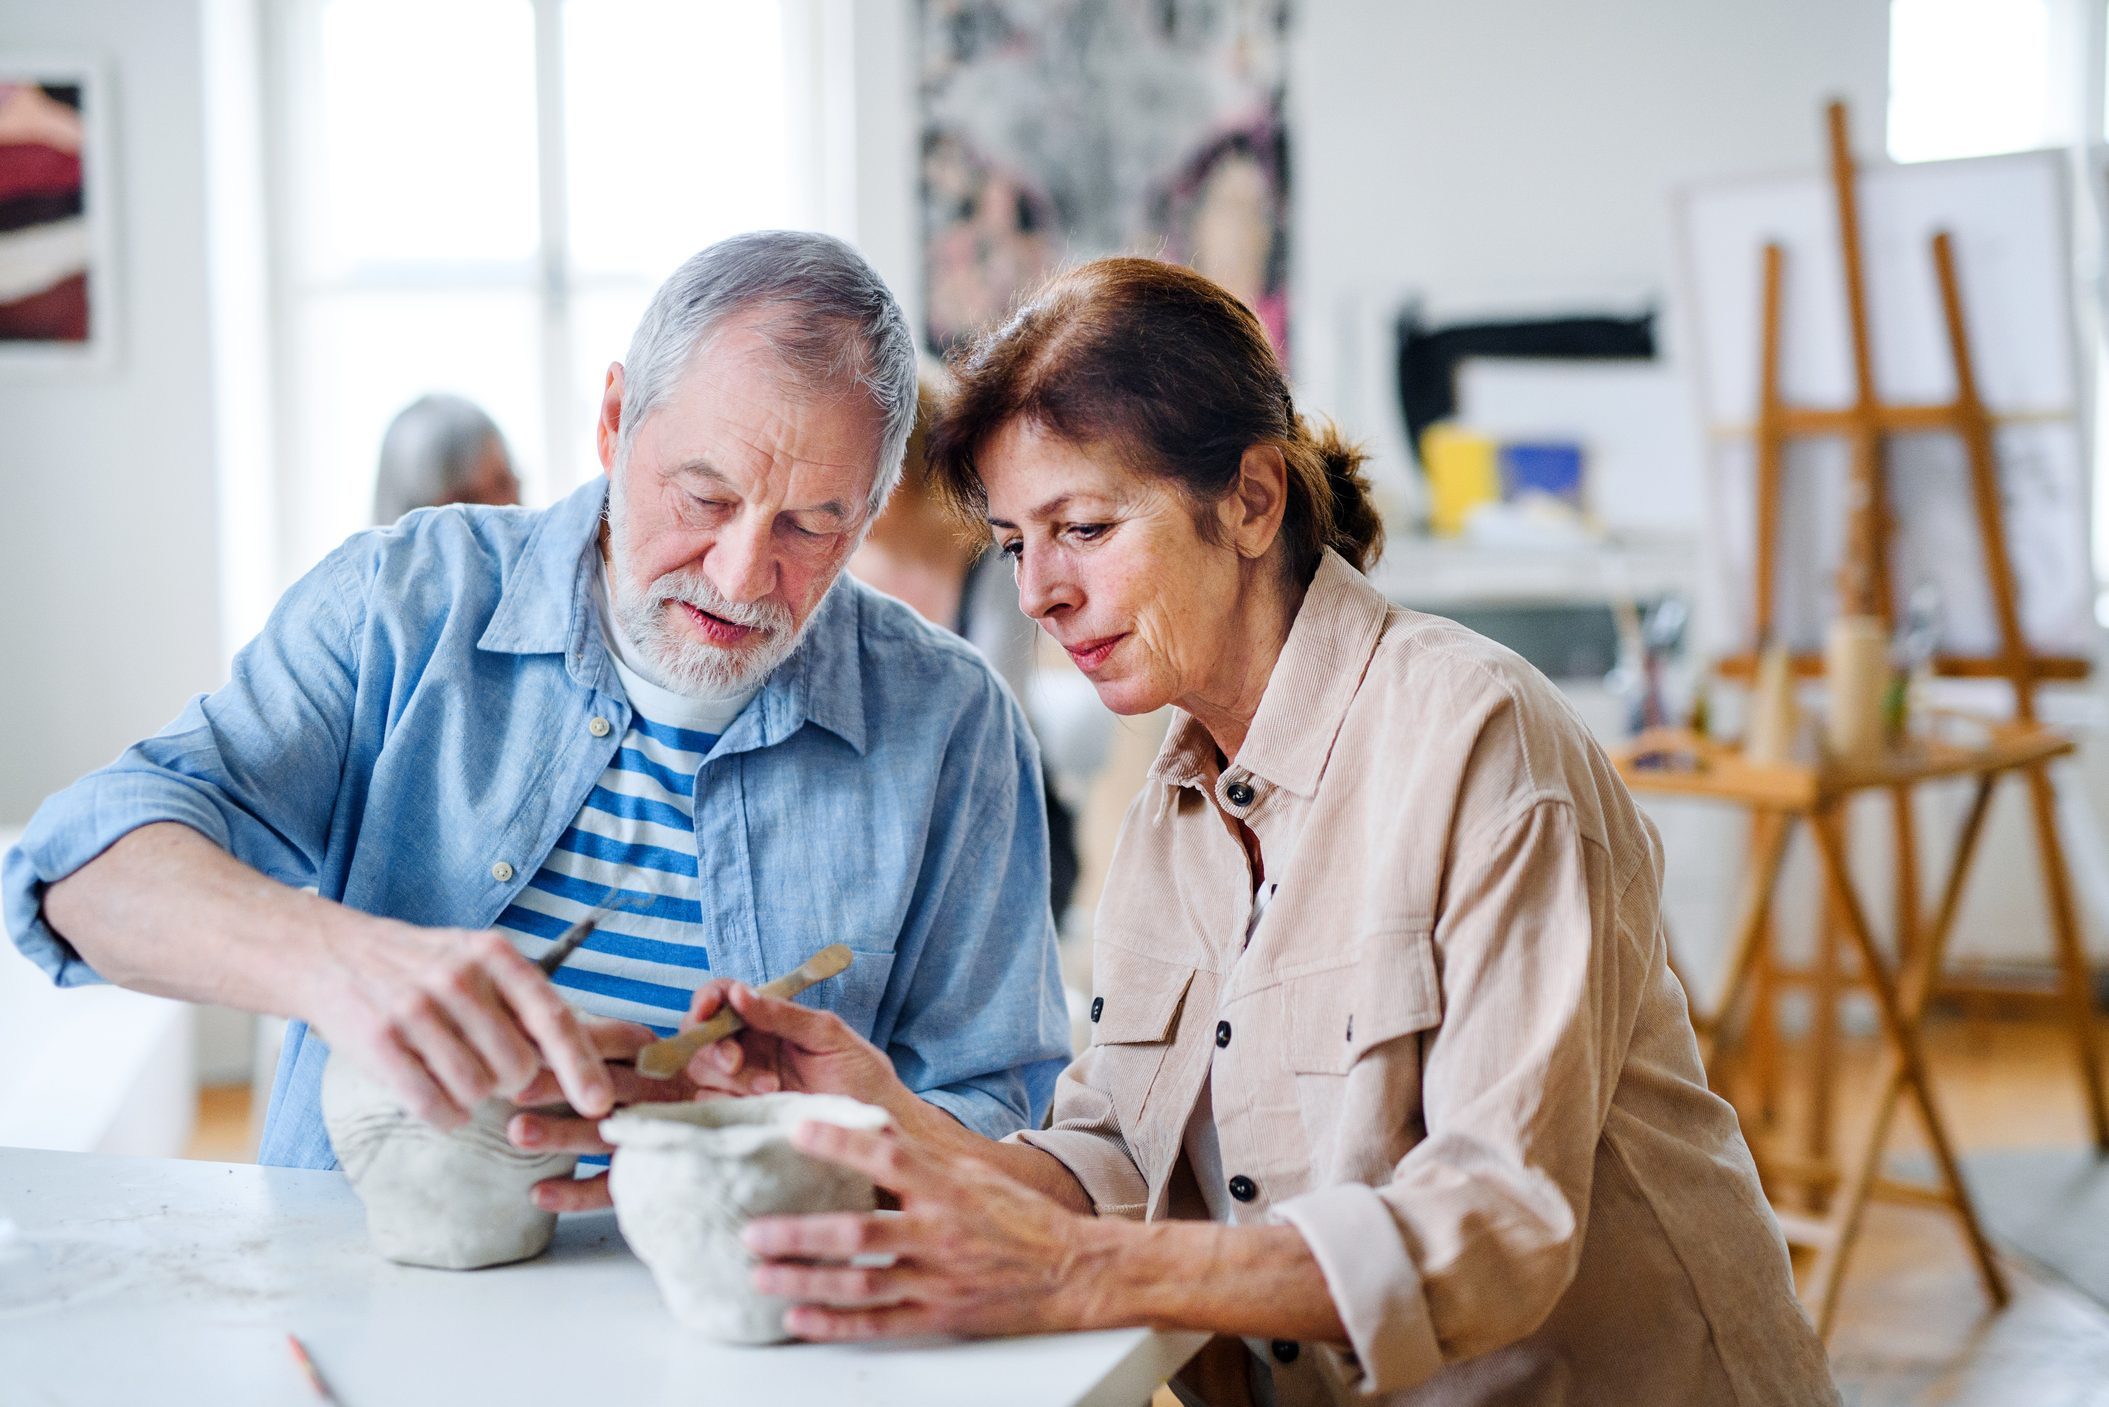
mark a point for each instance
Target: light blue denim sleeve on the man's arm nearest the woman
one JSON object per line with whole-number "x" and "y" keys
{"x": 984, "y": 1028}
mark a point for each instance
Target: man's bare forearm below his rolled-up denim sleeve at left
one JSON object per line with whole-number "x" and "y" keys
{"x": 170, "y": 912}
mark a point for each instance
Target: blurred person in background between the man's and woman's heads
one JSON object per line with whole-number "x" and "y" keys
{"x": 918, "y": 554}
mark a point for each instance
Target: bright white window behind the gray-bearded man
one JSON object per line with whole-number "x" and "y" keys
{"x": 482, "y": 195}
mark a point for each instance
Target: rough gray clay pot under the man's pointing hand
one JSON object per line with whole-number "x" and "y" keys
{"x": 448, "y": 1199}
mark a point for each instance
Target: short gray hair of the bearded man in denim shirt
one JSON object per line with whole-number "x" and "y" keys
{"x": 838, "y": 328}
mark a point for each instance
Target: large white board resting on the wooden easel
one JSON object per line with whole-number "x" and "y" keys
{"x": 2009, "y": 218}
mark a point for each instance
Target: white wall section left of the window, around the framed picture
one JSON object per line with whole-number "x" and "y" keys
{"x": 109, "y": 566}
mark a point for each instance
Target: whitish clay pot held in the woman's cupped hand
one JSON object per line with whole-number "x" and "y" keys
{"x": 689, "y": 1178}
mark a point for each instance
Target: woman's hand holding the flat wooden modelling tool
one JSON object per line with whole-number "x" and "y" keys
{"x": 790, "y": 1047}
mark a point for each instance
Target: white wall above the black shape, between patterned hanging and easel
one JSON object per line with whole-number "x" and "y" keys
{"x": 1517, "y": 155}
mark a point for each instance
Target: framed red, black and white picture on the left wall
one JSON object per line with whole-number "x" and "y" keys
{"x": 58, "y": 301}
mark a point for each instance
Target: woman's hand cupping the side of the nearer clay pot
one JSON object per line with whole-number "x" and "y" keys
{"x": 975, "y": 1252}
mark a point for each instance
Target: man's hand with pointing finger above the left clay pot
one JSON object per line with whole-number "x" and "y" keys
{"x": 448, "y": 1018}
